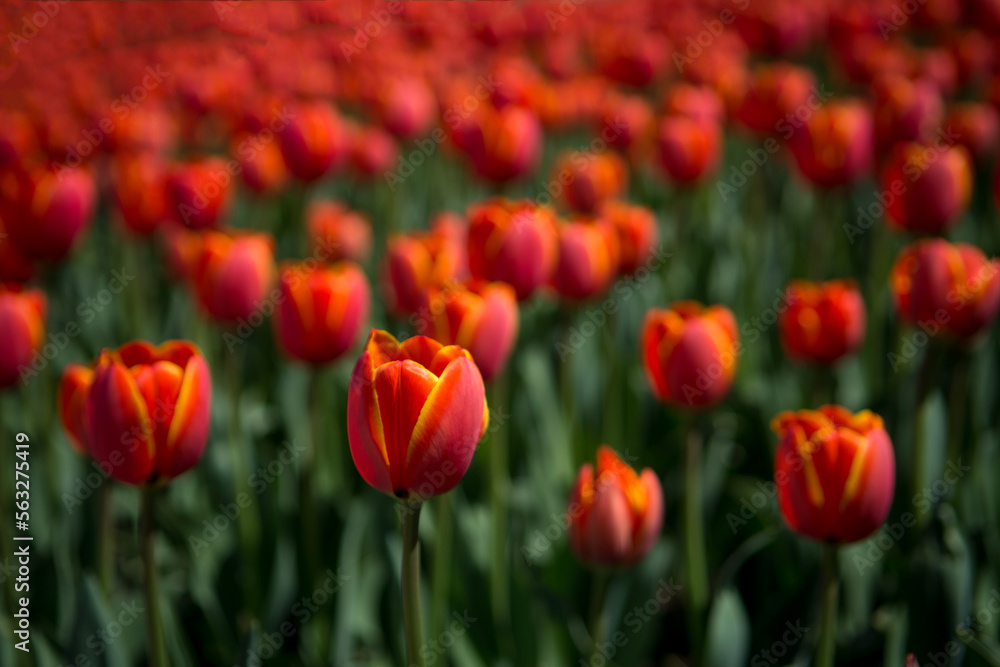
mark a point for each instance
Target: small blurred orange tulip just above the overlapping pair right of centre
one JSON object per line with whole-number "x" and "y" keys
{"x": 590, "y": 179}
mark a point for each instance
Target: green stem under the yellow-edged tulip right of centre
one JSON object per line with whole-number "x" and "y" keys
{"x": 694, "y": 534}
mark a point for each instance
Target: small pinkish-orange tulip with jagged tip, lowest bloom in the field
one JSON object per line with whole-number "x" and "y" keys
{"x": 616, "y": 514}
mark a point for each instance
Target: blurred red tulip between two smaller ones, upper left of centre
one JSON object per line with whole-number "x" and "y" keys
{"x": 314, "y": 141}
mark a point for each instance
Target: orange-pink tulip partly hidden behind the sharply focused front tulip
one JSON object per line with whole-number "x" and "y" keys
{"x": 479, "y": 316}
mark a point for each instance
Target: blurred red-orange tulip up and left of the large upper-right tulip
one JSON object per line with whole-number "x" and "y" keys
{"x": 835, "y": 147}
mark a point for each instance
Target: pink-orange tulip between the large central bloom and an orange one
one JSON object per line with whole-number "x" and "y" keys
{"x": 588, "y": 259}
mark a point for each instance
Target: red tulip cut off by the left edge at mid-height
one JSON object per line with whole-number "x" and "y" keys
{"x": 22, "y": 330}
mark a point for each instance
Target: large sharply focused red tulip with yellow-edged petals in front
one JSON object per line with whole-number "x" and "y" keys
{"x": 415, "y": 412}
